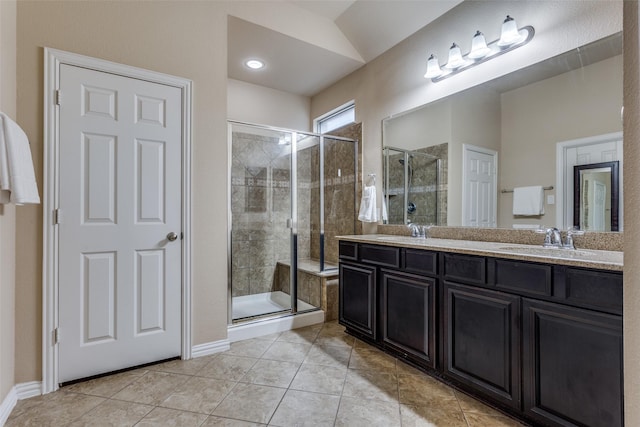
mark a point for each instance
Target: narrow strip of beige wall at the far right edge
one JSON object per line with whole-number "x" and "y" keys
{"x": 631, "y": 318}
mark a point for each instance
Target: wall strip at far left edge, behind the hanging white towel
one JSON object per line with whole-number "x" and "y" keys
{"x": 7, "y": 212}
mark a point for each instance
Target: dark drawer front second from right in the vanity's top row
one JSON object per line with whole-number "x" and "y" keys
{"x": 522, "y": 277}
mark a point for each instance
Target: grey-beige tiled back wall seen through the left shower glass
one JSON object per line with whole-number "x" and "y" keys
{"x": 260, "y": 206}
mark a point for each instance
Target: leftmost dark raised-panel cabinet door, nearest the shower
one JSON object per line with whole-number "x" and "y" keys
{"x": 357, "y": 302}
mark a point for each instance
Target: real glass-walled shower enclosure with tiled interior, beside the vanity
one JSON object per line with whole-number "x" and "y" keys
{"x": 291, "y": 193}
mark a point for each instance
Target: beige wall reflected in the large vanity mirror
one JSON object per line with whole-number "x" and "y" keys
{"x": 522, "y": 116}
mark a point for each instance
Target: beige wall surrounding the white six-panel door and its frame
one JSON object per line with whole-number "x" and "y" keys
{"x": 182, "y": 38}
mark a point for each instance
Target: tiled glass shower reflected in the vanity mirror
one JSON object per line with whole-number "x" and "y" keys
{"x": 412, "y": 187}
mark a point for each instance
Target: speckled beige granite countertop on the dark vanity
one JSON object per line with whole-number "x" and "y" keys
{"x": 588, "y": 258}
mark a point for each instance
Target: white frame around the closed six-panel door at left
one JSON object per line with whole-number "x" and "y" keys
{"x": 53, "y": 58}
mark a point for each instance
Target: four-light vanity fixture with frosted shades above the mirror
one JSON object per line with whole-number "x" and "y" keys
{"x": 510, "y": 38}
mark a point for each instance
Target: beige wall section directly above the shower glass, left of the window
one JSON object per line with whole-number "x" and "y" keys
{"x": 251, "y": 103}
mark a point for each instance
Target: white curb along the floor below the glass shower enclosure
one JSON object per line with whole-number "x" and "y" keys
{"x": 261, "y": 328}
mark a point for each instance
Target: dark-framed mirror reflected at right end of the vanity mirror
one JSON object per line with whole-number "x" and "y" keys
{"x": 596, "y": 198}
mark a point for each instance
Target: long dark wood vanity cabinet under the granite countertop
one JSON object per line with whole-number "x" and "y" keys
{"x": 541, "y": 341}
